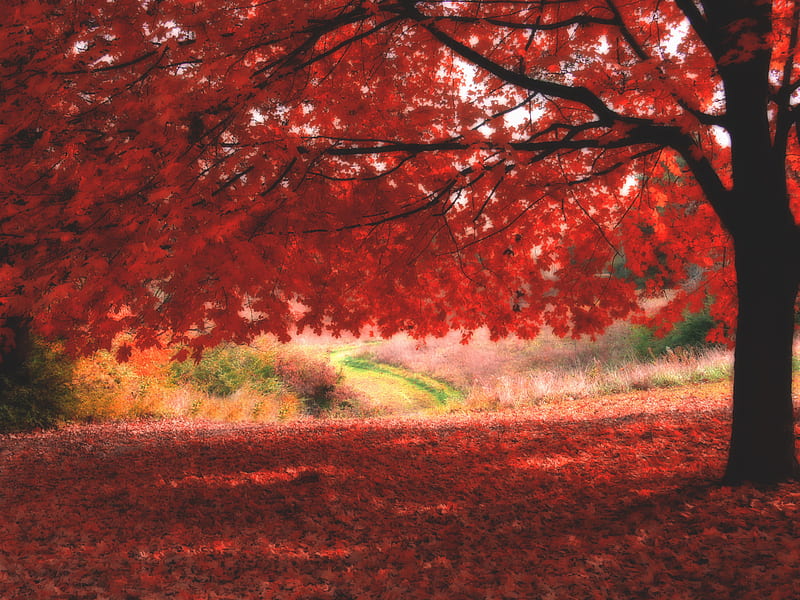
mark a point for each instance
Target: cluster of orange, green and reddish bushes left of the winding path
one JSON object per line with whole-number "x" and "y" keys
{"x": 229, "y": 383}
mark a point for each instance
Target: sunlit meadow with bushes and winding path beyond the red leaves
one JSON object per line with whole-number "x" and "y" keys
{"x": 322, "y": 376}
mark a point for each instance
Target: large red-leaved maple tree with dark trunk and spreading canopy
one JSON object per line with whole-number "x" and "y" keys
{"x": 194, "y": 172}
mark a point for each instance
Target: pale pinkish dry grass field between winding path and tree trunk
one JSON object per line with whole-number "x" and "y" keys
{"x": 514, "y": 373}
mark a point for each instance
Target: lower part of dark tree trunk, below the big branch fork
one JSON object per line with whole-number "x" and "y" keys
{"x": 763, "y": 441}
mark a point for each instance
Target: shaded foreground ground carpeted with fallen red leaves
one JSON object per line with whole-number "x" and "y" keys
{"x": 612, "y": 498}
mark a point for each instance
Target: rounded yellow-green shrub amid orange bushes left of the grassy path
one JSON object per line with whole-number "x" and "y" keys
{"x": 225, "y": 369}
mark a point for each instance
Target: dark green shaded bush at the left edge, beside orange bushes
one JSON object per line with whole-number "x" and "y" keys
{"x": 40, "y": 393}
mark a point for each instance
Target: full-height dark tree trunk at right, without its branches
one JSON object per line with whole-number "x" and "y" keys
{"x": 758, "y": 216}
